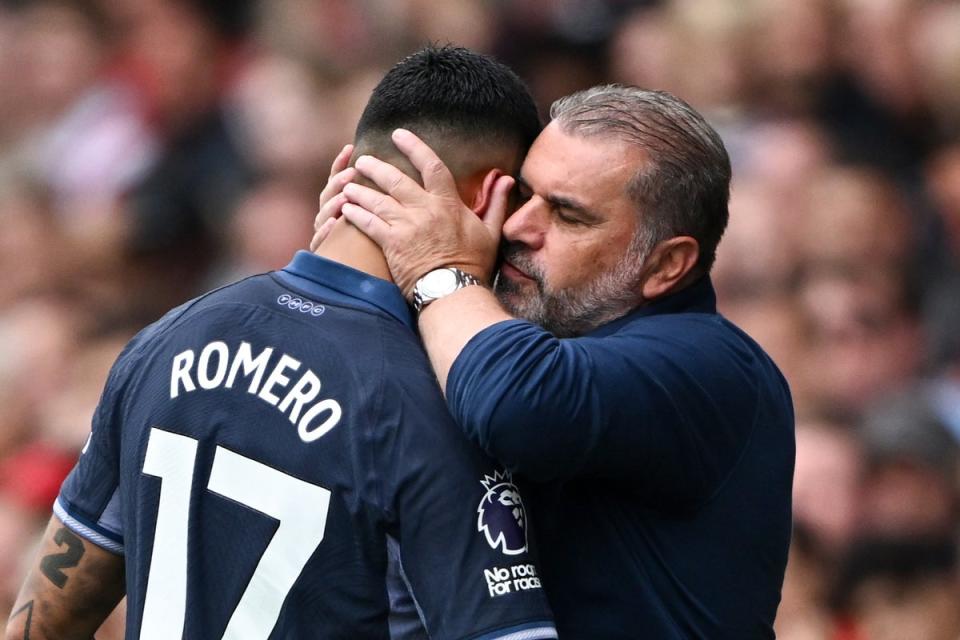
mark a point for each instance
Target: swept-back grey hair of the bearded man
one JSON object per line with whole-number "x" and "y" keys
{"x": 684, "y": 189}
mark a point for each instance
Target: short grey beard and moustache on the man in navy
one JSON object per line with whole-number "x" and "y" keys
{"x": 573, "y": 311}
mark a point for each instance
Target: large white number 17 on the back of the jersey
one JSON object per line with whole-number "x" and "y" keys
{"x": 300, "y": 507}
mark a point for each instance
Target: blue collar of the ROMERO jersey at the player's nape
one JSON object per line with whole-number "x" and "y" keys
{"x": 337, "y": 282}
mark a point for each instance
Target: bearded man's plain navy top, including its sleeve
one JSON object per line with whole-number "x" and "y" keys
{"x": 662, "y": 450}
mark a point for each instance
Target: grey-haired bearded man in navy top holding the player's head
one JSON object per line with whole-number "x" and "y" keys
{"x": 658, "y": 435}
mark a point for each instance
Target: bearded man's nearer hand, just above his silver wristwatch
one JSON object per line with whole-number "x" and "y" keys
{"x": 428, "y": 227}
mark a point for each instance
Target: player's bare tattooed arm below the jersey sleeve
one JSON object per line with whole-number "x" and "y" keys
{"x": 72, "y": 586}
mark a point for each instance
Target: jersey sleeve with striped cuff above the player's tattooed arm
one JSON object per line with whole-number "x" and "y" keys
{"x": 89, "y": 500}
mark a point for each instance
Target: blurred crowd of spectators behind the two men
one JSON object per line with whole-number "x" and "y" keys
{"x": 153, "y": 149}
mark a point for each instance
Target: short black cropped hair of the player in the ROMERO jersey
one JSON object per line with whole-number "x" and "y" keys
{"x": 452, "y": 91}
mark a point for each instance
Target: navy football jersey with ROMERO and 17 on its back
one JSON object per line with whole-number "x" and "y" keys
{"x": 262, "y": 453}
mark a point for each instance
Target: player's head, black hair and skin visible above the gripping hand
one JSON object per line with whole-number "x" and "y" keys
{"x": 473, "y": 111}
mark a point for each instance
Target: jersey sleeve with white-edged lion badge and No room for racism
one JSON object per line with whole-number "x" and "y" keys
{"x": 458, "y": 520}
